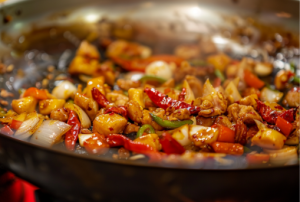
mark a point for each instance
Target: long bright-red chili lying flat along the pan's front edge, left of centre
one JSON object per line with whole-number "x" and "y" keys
{"x": 116, "y": 140}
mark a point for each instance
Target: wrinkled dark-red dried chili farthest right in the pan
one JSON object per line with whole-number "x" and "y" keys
{"x": 271, "y": 115}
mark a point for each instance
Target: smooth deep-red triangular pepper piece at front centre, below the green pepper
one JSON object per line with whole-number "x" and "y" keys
{"x": 170, "y": 145}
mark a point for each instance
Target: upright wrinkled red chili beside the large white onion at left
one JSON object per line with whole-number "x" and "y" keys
{"x": 72, "y": 135}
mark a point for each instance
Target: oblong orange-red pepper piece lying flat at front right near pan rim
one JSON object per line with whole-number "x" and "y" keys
{"x": 228, "y": 148}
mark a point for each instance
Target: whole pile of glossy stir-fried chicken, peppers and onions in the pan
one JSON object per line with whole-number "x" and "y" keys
{"x": 164, "y": 107}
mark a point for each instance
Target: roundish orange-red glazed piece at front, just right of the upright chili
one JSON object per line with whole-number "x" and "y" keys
{"x": 96, "y": 144}
